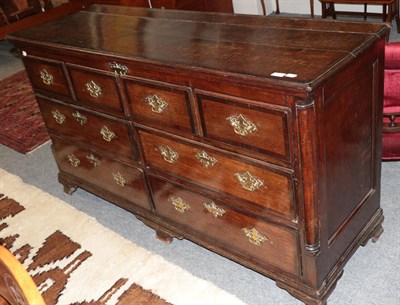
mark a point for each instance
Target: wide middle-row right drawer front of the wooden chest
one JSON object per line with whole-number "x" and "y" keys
{"x": 265, "y": 187}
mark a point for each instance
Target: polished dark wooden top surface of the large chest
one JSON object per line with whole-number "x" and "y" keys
{"x": 304, "y": 50}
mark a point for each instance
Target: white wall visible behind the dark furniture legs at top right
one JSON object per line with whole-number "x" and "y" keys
{"x": 293, "y": 6}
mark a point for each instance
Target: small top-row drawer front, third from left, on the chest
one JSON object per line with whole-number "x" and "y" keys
{"x": 160, "y": 105}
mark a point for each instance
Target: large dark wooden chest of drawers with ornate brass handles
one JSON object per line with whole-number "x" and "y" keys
{"x": 219, "y": 129}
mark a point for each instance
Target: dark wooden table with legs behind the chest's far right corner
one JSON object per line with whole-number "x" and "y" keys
{"x": 390, "y": 9}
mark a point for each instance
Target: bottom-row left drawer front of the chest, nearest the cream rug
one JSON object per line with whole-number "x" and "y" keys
{"x": 120, "y": 179}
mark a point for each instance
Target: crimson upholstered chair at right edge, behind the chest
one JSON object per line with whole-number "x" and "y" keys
{"x": 391, "y": 103}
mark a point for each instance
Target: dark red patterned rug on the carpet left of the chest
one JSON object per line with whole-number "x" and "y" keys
{"x": 22, "y": 126}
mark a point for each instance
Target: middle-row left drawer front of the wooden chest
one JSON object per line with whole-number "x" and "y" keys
{"x": 89, "y": 128}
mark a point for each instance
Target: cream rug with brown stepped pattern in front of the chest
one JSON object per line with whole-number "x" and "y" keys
{"x": 75, "y": 260}
